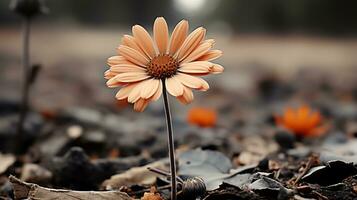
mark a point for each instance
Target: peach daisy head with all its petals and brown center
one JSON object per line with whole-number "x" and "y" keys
{"x": 144, "y": 63}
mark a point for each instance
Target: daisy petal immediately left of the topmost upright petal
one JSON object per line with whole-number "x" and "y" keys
{"x": 144, "y": 40}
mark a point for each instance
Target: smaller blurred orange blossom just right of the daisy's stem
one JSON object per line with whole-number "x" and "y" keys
{"x": 203, "y": 117}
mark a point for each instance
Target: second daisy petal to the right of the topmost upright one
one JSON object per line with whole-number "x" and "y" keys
{"x": 191, "y": 43}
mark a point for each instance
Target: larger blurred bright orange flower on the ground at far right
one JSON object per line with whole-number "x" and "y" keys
{"x": 302, "y": 121}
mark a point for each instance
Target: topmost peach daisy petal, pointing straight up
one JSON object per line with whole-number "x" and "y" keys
{"x": 161, "y": 34}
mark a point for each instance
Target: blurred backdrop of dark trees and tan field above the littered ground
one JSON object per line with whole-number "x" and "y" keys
{"x": 283, "y": 39}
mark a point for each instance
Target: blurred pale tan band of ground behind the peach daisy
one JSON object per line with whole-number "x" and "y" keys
{"x": 73, "y": 60}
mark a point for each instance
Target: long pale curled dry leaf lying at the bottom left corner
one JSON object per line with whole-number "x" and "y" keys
{"x": 23, "y": 190}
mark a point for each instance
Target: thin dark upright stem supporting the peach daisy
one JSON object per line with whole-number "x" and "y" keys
{"x": 170, "y": 142}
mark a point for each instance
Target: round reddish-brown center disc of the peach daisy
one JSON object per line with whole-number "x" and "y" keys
{"x": 162, "y": 66}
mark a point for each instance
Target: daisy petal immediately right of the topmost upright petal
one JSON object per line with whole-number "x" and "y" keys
{"x": 178, "y": 36}
